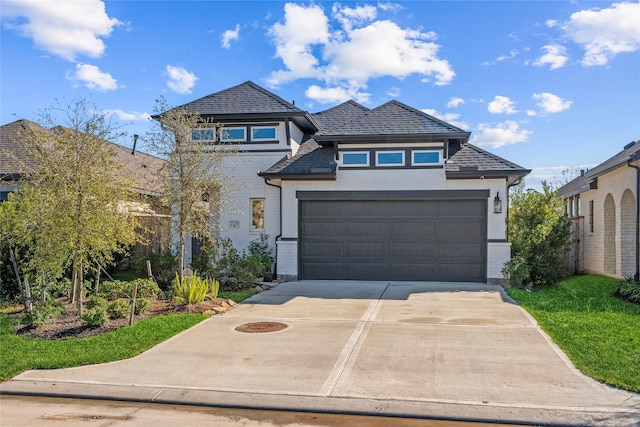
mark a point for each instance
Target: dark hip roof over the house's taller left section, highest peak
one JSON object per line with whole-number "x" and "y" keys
{"x": 245, "y": 98}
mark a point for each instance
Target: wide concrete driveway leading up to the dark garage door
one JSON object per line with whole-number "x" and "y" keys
{"x": 435, "y": 350}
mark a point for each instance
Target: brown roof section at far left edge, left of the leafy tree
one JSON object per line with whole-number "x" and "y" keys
{"x": 13, "y": 158}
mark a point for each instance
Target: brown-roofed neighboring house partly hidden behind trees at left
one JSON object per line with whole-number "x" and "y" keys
{"x": 140, "y": 167}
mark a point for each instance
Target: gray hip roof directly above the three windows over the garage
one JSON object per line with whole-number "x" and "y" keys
{"x": 393, "y": 118}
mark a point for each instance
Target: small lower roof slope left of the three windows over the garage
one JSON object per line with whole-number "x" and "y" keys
{"x": 312, "y": 161}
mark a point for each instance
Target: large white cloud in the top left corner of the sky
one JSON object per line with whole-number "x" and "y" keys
{"x": 64, "y": 28}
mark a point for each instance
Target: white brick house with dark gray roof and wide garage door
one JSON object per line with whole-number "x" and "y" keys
{"x": 389, "y": 193}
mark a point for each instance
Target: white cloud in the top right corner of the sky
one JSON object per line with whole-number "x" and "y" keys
{"x": 604, "y": 33}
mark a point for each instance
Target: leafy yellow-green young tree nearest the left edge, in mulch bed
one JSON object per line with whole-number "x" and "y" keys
{"x": 78, "y": 190}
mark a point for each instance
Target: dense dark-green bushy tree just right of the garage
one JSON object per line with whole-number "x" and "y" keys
{"x": 539, "y": 234}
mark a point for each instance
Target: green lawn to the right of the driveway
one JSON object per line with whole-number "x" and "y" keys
{"x": 598, "y": 331}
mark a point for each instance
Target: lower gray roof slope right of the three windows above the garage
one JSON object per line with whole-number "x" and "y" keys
{"x": 469, "y": 161}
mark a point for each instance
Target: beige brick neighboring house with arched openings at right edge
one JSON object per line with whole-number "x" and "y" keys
{"x": 603, "y": 204}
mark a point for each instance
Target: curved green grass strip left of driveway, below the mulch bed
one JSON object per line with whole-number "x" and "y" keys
{"x": 20, "y": 353}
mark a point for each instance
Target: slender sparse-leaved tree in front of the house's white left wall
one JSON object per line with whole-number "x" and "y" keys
{"x": 190, "y": 182}
